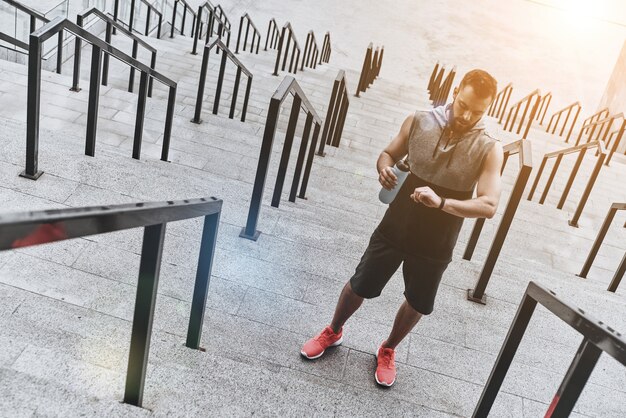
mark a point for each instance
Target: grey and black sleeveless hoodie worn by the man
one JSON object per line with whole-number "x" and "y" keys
{"x": 450, "y": 166}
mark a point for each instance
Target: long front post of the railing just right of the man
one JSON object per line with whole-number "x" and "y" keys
{"x": 478, "y": 294}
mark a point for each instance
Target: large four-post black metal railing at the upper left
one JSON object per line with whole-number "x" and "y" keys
{"x": 99, "y": 47}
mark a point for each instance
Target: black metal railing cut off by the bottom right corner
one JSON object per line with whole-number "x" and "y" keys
{"x": 597, "y": 338}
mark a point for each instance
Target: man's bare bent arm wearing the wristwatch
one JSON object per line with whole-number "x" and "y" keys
{"x": 488, "y": 190}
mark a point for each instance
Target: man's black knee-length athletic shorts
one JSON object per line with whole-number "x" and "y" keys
{"x": 381, "y": 260}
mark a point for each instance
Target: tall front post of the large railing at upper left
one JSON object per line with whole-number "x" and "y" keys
{"x": 32, "y": 110}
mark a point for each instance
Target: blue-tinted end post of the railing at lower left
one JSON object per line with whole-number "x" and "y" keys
{"x": 203, "y": 277}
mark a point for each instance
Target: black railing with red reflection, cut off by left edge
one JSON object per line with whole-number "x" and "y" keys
{"x": 34, "y": 228}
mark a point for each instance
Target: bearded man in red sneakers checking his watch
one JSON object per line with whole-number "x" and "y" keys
{"x": 449, "y": 155}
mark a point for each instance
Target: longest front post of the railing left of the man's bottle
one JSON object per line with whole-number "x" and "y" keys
{"x": 250, "y": 231}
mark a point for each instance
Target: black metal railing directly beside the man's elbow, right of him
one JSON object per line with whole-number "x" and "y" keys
{"x": 523, "y": 148}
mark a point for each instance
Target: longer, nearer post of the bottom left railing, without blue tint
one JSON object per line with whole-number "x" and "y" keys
{"x": 147, "y": 284}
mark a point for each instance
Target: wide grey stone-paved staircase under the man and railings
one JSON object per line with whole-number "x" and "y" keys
{"x": 66, "y": 308}
